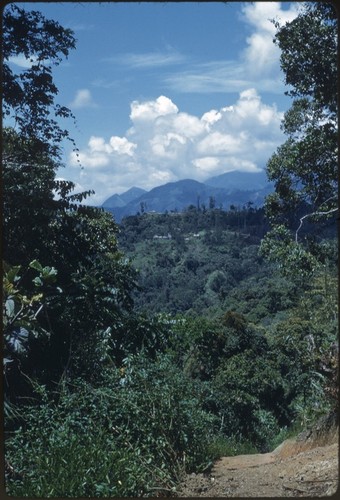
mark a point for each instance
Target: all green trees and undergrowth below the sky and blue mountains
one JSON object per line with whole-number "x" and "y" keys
{"x": 138, "y": 352}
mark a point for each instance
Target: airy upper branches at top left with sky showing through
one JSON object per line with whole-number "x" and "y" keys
{"x": 29, "y": 96}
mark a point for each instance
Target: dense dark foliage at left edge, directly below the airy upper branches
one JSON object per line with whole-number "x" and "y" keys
{"x": 35, "y": 203}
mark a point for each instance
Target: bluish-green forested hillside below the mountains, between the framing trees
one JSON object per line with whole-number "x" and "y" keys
{"x": 207, "y": 262}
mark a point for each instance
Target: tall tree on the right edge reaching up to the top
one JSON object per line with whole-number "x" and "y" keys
{"x": 304, "y": 168}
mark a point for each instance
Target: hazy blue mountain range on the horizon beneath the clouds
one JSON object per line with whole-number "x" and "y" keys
{"x": 231, "y": 188}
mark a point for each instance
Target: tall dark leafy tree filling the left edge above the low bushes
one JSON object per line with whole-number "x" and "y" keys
{"x": 44, "y": 221}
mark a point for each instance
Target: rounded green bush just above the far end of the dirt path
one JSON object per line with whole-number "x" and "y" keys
{"x": 247, "y": 393}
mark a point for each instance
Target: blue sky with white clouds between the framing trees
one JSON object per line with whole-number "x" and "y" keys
{"x": 166, "y": 91}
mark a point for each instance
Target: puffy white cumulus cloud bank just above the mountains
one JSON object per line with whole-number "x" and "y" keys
{"x": 165, "y": 144}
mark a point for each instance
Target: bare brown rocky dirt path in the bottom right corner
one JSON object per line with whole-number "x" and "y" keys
{"x": 297, "y": 468}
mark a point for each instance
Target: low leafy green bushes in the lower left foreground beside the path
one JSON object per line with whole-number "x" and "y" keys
{"x": 132, "y": 436}
